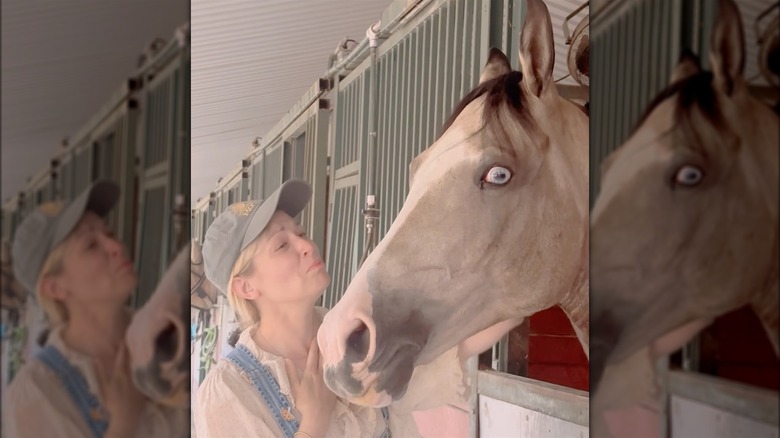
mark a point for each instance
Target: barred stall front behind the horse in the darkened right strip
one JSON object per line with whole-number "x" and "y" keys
{"x": 633, "y": 51}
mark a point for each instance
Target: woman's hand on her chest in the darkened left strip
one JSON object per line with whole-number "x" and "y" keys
{"x": 122, "y": 400}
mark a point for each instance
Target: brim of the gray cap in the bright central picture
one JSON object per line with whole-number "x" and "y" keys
{"x": 291, "y": 198}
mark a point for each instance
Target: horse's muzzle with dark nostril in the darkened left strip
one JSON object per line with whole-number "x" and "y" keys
{"x": 158, "y": 338}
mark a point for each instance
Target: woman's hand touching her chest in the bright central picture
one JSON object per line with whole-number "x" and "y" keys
{"x": 312, "y": 397}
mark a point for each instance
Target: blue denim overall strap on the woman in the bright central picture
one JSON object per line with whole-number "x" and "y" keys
{"x": 264, "y": 382}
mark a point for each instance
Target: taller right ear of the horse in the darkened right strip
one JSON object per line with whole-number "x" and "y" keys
{"x": 727, "y": 47}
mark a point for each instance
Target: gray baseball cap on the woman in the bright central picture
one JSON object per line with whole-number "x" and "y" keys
{"x": 241, "y": 223}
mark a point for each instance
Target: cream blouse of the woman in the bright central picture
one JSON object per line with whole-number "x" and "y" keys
{"x": 228, "y": 405}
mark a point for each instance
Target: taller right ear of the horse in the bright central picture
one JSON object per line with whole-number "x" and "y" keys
{"x": 537, "y": 49}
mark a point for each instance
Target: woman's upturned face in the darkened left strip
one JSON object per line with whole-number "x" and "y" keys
{"x": 95, "y": 266}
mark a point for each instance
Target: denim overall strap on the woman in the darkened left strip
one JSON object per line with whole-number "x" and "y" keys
{"x": 76, "y": 385}
